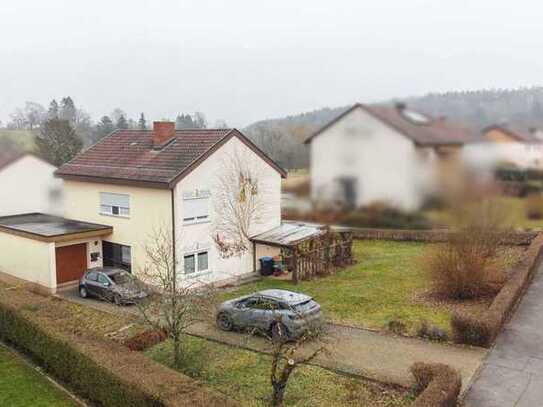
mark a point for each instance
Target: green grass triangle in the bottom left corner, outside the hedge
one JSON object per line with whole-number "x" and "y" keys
{"x": 21, "y": 386}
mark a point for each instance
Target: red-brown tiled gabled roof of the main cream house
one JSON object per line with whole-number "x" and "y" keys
{"x": 127, "y": 157}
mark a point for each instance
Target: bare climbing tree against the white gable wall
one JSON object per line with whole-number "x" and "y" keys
{"x": 239, "y": 203}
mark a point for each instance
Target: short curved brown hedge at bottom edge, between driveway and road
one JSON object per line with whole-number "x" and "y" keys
{"x": 439, "y": 385}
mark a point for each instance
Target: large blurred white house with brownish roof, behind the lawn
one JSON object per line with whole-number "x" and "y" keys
{"x": 382, "y": 153}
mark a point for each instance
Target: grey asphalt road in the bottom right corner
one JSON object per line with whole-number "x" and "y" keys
{"x": 513, "y": 372}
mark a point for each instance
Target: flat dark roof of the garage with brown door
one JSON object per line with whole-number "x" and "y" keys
{"x": 49, "y": 228}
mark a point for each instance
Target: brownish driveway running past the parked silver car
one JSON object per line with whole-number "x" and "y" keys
{"x": 354, "y": 351}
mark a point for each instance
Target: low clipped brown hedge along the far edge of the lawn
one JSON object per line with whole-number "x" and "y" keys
{"x": 430, "y": 236}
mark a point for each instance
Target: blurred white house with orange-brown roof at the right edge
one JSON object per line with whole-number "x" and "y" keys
{"x": 507, "y": 144}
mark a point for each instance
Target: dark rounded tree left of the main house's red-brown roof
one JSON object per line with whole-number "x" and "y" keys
{"x": 58, "y": 142}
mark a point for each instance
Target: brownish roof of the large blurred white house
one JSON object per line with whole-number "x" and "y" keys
{"x": 427, "y": 132}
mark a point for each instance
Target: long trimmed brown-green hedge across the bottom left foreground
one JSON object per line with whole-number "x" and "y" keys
{"x": 100, "y": 370}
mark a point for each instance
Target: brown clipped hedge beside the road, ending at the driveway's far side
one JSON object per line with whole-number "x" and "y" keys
{"x": 482, "y": 330}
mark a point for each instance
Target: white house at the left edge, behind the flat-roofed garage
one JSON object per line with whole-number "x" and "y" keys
{"x": 28, "y": 184}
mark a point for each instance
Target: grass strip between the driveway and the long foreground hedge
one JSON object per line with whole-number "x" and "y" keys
{"x": 244, "y": 376}
